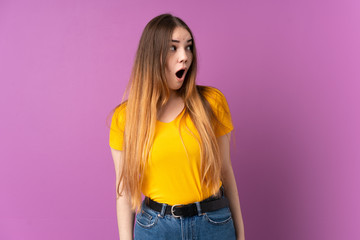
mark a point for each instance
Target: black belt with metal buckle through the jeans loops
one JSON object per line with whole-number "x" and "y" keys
{"x": 188, "y": 210}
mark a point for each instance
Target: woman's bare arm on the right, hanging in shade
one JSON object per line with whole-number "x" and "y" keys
{"x": 230, "y": 187}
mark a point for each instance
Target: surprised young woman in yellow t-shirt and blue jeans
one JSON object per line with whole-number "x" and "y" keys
{"x": 170, "y": 141}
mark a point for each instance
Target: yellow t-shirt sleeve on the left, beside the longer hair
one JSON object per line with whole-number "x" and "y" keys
{"x": 117, "y": 128}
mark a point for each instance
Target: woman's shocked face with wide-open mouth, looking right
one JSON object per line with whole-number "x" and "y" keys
{"x": 179, "y": 58}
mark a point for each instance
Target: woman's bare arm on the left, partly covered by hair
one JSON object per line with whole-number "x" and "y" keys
{"x": 125, "y": 216}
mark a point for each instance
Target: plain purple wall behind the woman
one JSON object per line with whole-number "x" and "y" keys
{"x": 289, "y": 69}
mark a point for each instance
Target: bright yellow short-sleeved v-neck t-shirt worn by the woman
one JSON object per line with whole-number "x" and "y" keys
{"x": 172, "y": 173}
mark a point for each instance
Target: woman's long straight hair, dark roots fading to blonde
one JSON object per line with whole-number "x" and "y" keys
{"x": 148, "y": 92}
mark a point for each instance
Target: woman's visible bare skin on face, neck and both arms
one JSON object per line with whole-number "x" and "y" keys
{"x": 180, "y": 57}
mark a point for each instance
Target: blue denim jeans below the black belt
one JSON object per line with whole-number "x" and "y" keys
{"x": 205, "y": 226}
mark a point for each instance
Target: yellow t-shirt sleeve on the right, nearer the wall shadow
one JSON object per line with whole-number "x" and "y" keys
{"x": 220, "y": 108}
